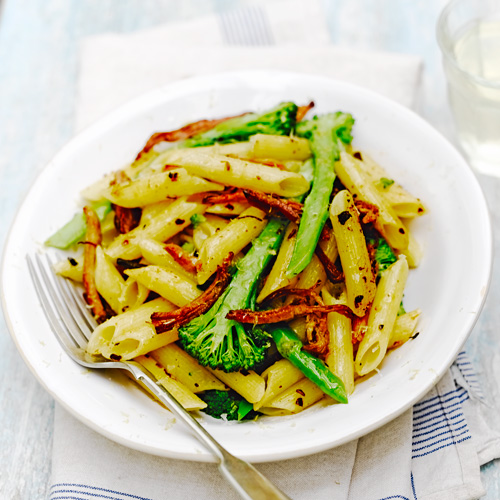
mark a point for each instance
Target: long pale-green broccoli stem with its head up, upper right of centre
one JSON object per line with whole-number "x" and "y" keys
{"x": 327, "y": 136}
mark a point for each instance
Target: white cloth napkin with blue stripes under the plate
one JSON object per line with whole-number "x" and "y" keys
{"x": 430, "y": 452}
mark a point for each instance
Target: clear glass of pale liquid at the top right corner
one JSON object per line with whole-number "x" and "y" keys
{"x": 468, "y": 32}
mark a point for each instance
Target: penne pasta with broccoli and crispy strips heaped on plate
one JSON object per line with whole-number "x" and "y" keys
{"x": 253, "y": 264}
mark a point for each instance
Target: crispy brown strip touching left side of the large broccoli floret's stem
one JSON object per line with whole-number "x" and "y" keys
{"x": 165, "y": 321}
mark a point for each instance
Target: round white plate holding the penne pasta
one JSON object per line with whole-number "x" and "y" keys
{"x": 449, "y": 286}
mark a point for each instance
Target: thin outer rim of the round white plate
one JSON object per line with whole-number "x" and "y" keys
{"x": 107, "y": 121}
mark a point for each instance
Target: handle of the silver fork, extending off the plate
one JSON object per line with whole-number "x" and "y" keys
{"x": 244, "y": 478}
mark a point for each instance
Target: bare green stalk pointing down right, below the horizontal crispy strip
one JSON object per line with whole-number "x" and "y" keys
{"x": 290, "y": 347}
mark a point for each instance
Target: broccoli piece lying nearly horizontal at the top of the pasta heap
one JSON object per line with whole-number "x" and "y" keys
{"x": 280, "y": 120}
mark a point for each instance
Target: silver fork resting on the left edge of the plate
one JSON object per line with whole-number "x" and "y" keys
{"x": 72, "y": 323}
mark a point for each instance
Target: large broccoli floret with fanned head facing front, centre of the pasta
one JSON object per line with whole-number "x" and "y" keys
{"x": 218, "y": 342}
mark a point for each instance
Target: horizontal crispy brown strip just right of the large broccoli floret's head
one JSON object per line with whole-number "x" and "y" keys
{"x": 285, "y": 313}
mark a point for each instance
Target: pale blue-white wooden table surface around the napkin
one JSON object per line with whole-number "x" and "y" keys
{"x": 39, "y": 41}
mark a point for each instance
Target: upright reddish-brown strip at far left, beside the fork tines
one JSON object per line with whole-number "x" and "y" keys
{"x": 92, "y": 239}
